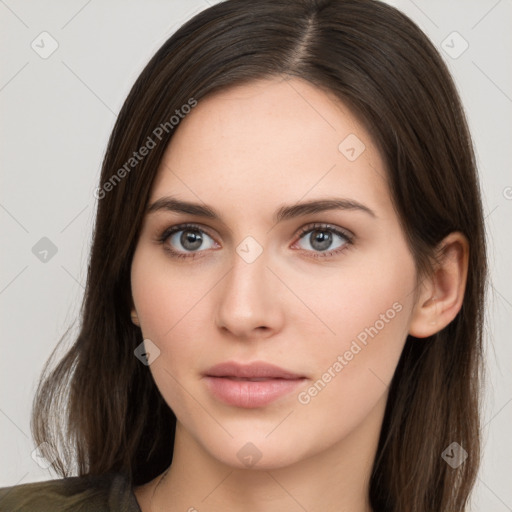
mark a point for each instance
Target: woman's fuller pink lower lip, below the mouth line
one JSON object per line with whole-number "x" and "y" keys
{"x": 250, "y": 394}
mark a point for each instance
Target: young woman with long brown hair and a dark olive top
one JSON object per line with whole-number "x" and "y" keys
{"x": 284, "y": 301}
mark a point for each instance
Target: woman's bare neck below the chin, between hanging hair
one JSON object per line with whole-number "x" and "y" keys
{"x": 334, "y": 479}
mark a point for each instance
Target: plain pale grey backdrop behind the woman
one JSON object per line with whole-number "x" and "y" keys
{"x": 57, "y": 112}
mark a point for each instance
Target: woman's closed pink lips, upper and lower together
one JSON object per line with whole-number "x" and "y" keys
{"x": 250, "y": 386}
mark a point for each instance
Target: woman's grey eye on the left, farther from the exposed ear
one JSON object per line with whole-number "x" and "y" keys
{"x": 186, "y": 240}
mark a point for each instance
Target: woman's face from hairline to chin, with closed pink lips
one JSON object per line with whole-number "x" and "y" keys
{"x": 326, "y": 294}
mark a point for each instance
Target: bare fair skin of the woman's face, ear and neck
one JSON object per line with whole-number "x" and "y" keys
{"x": 246, "y": 151}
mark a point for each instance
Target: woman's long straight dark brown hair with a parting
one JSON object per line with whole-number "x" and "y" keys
{"x": 99, "y": 406}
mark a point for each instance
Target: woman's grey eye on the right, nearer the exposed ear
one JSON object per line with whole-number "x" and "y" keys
{"x": 324, "y": 240}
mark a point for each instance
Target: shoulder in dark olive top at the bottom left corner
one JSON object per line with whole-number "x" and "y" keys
{"x": 111, "y": 492}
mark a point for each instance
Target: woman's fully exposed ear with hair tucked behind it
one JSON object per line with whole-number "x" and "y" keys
{"x": 441, "y": 296}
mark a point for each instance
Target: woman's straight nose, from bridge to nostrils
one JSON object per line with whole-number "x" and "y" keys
{"x": 250, "y": 302}
